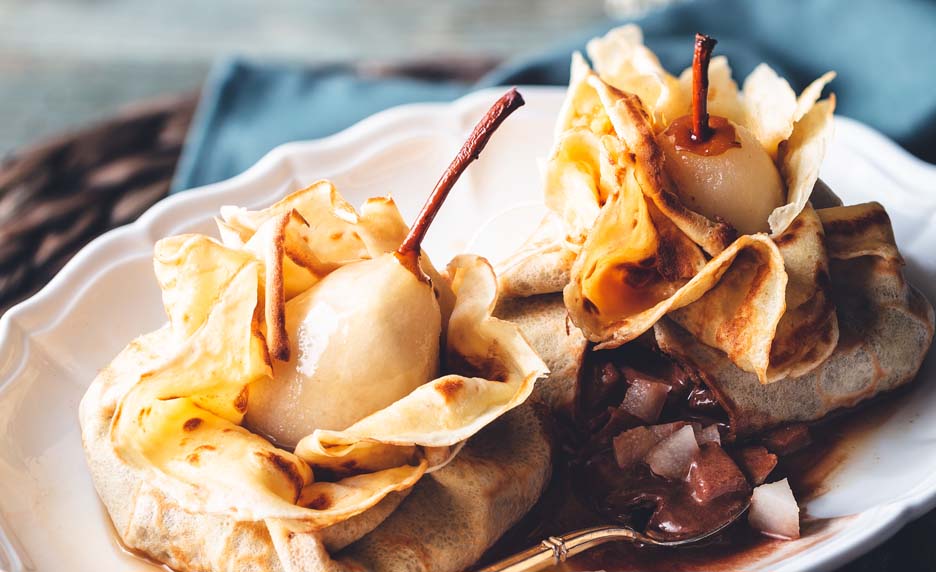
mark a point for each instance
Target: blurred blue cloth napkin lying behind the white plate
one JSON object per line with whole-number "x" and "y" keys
{"x": 883, "y": 50}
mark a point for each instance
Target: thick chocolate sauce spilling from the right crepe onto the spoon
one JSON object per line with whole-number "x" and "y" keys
{"x": 663, "y": 508}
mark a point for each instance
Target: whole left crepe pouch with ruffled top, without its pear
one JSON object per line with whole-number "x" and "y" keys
{"x": 163, "y": 423}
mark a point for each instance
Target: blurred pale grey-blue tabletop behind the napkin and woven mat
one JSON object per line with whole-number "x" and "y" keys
{"x": 64, "y": 63}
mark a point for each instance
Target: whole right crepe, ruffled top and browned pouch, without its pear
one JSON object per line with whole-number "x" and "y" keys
{"x": 785, "y": 325}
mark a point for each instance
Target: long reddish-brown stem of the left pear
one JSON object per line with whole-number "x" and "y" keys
{"x": 408, "y": 252}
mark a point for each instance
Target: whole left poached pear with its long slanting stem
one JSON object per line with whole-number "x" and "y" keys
{"x": 368, "y": 333}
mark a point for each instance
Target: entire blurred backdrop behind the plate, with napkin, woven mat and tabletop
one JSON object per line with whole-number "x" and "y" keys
{"x": 97, "y": 97}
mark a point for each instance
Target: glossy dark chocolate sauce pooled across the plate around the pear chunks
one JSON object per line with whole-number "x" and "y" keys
{"x": 589, "y": 489}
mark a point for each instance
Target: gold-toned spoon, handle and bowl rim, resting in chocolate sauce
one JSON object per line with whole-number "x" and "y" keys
{"x": 556, "y": 549}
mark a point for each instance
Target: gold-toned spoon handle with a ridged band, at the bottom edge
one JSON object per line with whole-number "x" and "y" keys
{"x": 556, "y": 549}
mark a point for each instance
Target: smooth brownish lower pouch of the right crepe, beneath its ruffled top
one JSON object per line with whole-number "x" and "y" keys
{"x": 885, "y": 325}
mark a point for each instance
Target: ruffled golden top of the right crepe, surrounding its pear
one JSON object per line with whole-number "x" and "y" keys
{"x": 628, "y": 252}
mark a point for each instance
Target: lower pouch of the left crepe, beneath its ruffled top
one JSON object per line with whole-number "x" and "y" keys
{"x": 506, "y": 464}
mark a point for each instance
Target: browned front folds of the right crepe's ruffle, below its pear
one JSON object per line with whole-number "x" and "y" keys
{"x": 639, "y": 263}
